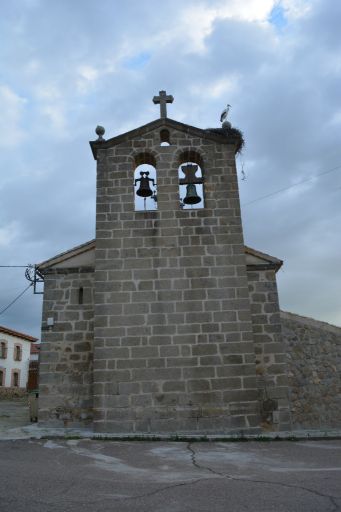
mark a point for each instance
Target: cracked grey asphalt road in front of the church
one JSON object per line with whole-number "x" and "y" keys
{"x": 103, "y": 476}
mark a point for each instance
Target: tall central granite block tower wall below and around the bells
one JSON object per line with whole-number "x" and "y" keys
{"x": 173, "y": 348}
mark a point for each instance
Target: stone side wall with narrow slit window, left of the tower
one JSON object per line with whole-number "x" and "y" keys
{"x": 66, "y": 357}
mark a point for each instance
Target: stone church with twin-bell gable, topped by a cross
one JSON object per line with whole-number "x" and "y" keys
{"x": 166, "y": 321}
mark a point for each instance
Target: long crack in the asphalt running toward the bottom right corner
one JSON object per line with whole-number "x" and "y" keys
{"x": 332, "y": 499}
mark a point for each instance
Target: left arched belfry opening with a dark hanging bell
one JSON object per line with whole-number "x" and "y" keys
{"x": 145, "y": 184}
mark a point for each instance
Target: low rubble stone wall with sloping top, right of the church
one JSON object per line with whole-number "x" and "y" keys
{"x": 313, "y": 351}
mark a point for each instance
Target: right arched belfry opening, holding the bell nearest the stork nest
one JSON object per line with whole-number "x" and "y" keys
{"x": 191, "y": 181}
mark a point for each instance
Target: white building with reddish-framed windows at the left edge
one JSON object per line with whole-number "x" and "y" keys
{"x": 15, "y": 348}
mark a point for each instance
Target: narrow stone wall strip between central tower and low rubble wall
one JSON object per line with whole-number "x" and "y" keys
{"x": 271, "y": 368}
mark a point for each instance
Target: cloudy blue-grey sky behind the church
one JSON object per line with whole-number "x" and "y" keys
{"x": 67, "y": 66}
